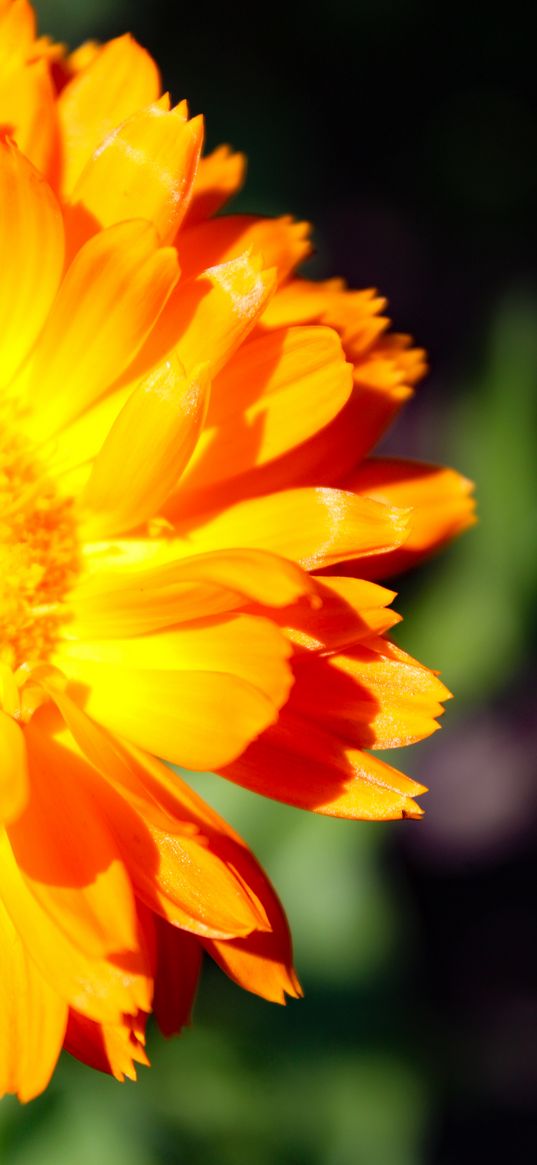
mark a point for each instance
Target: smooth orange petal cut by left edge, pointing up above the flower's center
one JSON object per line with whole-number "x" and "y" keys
{"x": 32, "y": 249}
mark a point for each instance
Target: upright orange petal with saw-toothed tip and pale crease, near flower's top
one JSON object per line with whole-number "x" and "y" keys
{"x": 145, "y": 170}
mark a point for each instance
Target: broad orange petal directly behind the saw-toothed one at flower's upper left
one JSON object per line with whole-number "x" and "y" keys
{"x": 119, "y": 81}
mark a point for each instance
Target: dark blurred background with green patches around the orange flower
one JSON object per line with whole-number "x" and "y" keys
{"x": 409, "y": 135}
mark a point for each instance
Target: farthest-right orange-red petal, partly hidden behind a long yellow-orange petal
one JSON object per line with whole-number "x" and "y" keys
{"x": 441, "y": 500}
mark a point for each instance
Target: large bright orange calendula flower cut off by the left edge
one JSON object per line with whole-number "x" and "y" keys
{"x": 190, "y": 531}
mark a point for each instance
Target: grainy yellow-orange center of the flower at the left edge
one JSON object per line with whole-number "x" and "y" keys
{"x": 39, "y": 555}
